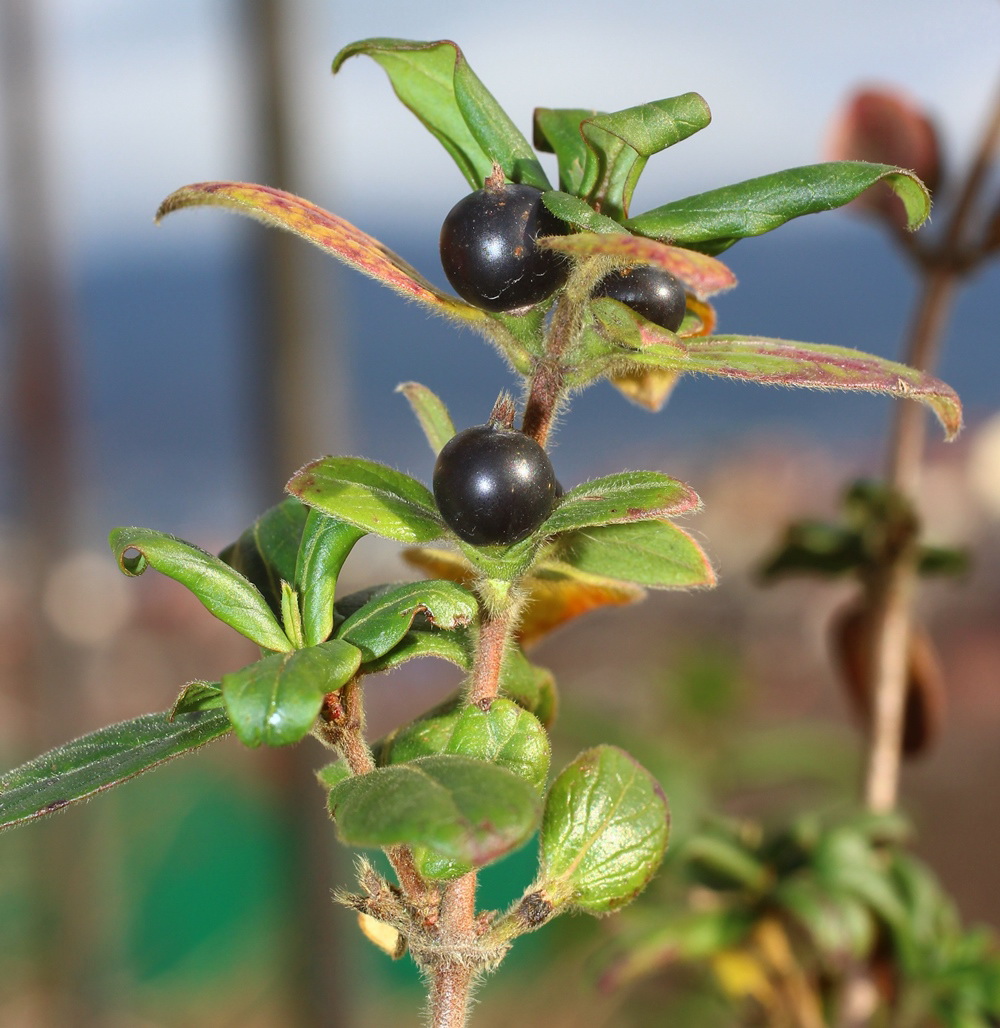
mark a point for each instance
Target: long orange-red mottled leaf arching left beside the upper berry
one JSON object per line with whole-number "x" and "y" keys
{"x": 326, "y": 231}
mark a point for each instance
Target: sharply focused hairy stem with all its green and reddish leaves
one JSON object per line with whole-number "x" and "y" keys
{"x": 469, "y": 782}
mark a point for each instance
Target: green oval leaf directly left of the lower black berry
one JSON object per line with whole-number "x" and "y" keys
{"x": 371, "y": 496}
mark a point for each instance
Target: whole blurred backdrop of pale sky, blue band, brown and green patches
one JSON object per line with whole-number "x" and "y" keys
{"x": 175, "y": 377}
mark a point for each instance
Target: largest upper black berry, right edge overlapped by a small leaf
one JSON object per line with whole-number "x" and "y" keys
{"x": 490, "y": 253}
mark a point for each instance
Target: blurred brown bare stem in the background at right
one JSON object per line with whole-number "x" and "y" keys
{"x": 896, "y": 585}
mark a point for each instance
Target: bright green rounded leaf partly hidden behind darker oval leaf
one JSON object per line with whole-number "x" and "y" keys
{"x": 506, "y": 736}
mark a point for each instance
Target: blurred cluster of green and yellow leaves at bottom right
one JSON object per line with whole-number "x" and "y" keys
{"x": 803, "y": 907}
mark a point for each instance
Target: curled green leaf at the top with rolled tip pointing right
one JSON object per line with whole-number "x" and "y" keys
{"x": 619, "y": 145}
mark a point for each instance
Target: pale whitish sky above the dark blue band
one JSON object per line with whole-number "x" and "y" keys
{"x": 142, "y": 102}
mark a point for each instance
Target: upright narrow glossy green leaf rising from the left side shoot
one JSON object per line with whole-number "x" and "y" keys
{"x": 326, "y": 544}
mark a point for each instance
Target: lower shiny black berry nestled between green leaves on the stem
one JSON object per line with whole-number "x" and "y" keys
{"x": 494, "y": 486}
